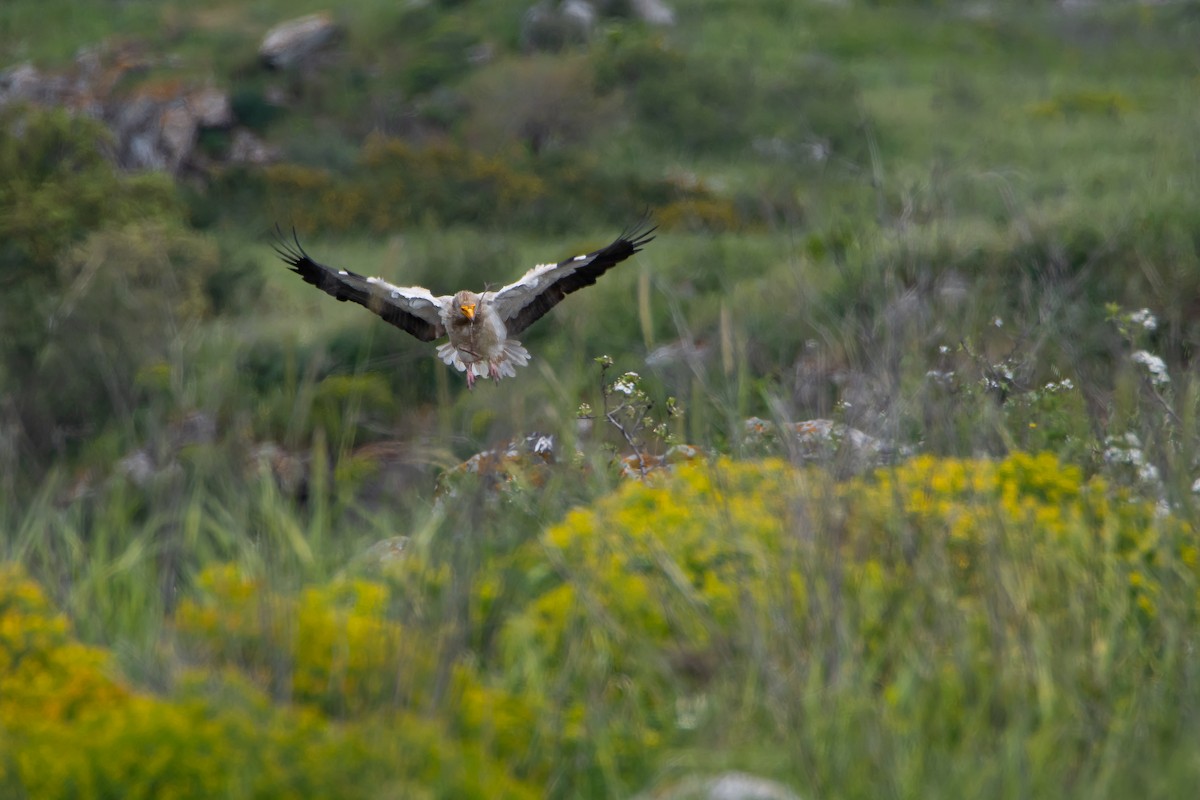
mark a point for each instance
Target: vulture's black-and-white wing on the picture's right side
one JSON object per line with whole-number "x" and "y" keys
{"x": 525, "y": 302}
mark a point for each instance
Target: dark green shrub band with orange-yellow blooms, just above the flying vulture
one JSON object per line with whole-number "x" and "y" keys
{"x": 398, "y": 185}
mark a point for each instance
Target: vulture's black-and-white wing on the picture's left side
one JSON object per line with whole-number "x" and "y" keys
{"x": 411, "y": 309}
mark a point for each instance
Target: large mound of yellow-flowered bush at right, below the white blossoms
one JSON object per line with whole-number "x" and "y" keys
{"x": 892, "y": 593}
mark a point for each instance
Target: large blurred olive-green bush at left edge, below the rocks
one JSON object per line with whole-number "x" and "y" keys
{"x": 97, "y": 279}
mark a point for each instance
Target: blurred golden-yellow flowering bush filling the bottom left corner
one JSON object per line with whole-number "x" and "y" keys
{"x": 70, "y": 730}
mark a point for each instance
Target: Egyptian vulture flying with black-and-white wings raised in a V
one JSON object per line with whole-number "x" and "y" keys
{"x": 478, "y": 324}
